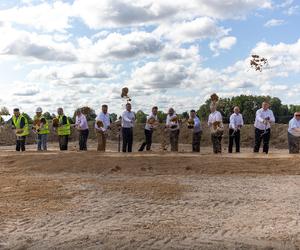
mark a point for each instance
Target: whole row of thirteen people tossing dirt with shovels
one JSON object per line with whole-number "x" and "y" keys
{"x": 263, "y": 121}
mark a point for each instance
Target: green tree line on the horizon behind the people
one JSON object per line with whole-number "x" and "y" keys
{"x": 248, "y": 104}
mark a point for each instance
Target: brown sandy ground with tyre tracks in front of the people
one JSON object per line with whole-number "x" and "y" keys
{"x": 89, "y": 200}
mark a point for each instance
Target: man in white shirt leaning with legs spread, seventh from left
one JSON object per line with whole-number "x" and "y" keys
{"x": 151, "y": 123}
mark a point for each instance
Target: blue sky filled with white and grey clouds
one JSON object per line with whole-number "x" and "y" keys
{"x": 168, "y": 53}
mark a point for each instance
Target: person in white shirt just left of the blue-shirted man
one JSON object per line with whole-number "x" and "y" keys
{"x": 172, "y": 123}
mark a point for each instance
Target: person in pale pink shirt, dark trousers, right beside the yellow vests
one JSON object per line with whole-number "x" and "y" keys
{"x": 82, "y": 126}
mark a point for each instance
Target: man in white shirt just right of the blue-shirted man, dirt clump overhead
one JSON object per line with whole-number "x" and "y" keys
{"x": 215, "y": 123}
